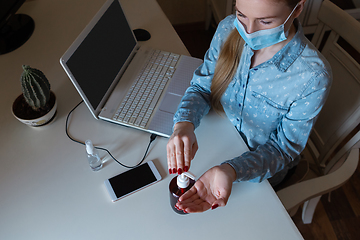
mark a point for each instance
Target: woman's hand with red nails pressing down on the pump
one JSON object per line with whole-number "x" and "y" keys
{"x": 181, "y": 147}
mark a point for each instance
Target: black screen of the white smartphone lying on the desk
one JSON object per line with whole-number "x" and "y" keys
{"x": 133, "y": 180}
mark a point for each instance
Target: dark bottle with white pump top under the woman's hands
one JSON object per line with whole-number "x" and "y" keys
{"x": 178, "y": 186}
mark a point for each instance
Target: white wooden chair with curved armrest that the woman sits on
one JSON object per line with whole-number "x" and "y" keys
{"x": 340, "y": 117}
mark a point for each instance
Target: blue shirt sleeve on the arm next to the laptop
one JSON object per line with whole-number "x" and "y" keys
{"x": 196, "y": 101}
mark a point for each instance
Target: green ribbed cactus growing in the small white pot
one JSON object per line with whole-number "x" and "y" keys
{"x": 35, "y": 87}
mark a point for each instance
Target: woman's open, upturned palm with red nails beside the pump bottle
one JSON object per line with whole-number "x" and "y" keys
{"x": 211, "y": 190}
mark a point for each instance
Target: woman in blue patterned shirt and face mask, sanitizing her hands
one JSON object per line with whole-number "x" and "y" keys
{"x": 270, "y": 81}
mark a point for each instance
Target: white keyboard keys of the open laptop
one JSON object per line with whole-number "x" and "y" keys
{"x": 140, "y": 101}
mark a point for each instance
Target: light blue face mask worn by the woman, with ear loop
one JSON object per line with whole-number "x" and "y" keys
{"x": 263, "y": 38}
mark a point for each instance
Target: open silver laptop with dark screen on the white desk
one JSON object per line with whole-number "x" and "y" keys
{"x": 110, "y": 69}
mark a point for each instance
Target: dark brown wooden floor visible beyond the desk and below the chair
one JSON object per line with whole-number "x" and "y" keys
{"x": 335, "y": 220}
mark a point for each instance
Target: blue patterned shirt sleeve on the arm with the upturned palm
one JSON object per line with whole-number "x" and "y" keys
{"x": 289, "y": 139}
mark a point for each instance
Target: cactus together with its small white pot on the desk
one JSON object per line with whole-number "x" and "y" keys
{"x": 37, "y": 104}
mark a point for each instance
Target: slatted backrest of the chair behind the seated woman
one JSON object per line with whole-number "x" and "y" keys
{"x": 338, "y": 38}
